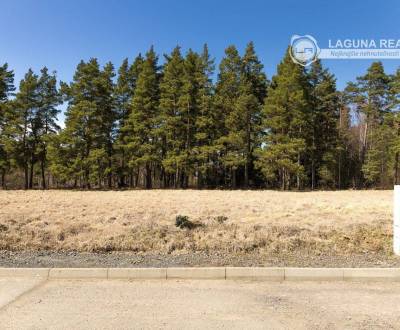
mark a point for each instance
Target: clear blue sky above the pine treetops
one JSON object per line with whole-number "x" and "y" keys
{"x": 59, "y": 33}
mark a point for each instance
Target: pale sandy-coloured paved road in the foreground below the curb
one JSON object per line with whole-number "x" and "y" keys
{"x": 101, "y": 304}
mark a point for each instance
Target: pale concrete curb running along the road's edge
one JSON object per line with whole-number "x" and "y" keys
{"x": 215, "y": 273}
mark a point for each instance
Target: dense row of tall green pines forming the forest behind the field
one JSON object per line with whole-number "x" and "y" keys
{"x": 180, "y": 124}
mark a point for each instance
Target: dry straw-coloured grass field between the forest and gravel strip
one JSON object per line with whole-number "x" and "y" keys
{"x": 143, "y": 221}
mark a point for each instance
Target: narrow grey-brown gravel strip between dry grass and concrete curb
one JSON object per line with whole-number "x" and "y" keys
{"x": 129, "y": 259}
